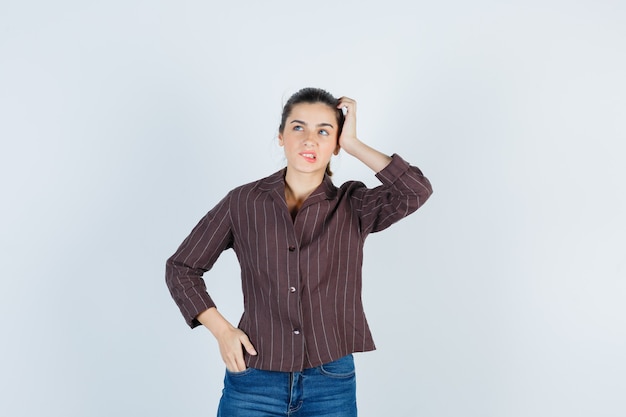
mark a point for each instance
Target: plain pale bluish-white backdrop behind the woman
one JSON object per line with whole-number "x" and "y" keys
{"x": 123, "y": 122}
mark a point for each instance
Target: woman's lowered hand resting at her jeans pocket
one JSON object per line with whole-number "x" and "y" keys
{"x": 230, "y": 339}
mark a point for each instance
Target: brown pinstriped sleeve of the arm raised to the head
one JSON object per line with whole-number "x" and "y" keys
{"x": 404, "y": 189}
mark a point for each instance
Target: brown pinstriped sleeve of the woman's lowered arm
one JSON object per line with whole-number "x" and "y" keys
{"x": 196, "y": 255}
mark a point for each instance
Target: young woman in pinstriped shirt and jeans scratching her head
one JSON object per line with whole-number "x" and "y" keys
{"x": 299, "y": 241}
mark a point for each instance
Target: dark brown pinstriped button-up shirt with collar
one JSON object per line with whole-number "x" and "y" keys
{"x": 301, "y": 278}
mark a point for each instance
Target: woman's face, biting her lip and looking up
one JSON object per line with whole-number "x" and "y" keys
{"x": 310, "y": 137}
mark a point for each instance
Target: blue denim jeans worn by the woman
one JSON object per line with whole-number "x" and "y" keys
{"x": 328, "y": 390}
